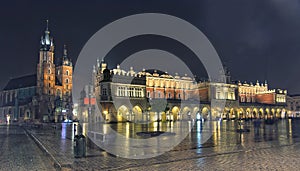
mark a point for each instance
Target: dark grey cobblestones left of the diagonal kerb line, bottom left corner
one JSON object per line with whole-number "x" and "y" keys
{"x": 19, "y": 152}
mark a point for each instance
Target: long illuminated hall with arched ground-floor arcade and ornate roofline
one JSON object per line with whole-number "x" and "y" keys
{"x": 155, "y": 95}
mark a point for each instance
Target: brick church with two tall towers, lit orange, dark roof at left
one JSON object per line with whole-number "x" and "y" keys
{"x": 45, "y": 96}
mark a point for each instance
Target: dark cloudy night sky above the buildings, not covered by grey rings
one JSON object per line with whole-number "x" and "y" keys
{"x": 256, "y": 39}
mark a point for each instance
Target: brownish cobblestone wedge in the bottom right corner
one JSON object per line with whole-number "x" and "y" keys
{"x": 279, "y": 158}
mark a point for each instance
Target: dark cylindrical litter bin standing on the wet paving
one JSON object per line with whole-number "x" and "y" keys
{"x": 79, "y": 146}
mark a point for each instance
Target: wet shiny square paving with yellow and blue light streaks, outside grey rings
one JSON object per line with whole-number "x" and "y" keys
{"x": 267, "y": 147}
